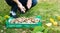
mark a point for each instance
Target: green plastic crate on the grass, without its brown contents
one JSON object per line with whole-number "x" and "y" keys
{"x": 9, "y": 25}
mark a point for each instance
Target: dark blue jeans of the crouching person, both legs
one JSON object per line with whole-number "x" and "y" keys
{"x": 24, "y": 3}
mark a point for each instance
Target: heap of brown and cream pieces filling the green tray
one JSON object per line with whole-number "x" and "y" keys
{"x": 25, "y": 20}
